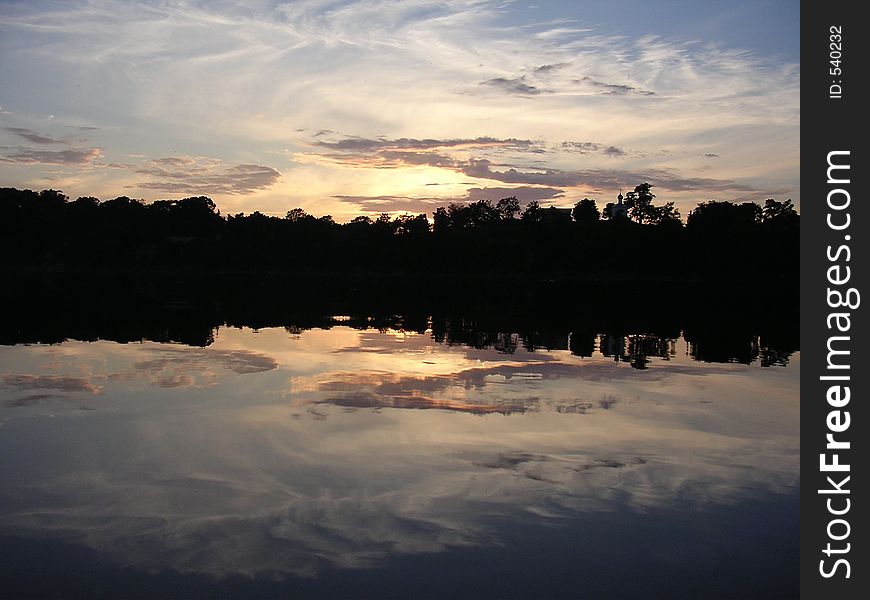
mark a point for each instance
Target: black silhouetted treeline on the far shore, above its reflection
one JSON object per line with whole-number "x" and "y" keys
{"x": 634, "y": 239}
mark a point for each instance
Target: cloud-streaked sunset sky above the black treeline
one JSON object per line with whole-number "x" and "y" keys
{"x": 363, "y": 107}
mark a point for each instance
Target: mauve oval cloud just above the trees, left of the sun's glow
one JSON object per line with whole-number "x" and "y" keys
{"x": 205, "y": 176}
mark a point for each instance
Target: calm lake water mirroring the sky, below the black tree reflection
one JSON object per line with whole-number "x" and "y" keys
{"x": 378, "y": 463}
